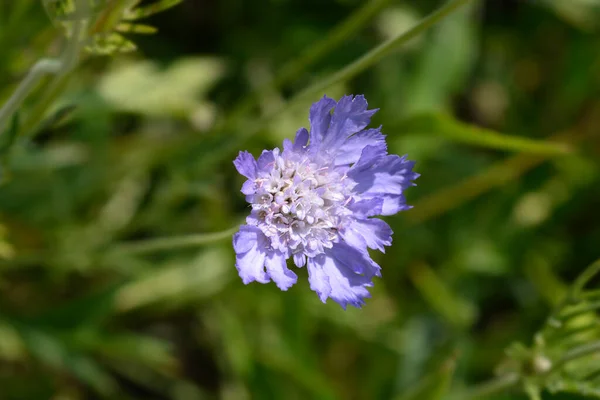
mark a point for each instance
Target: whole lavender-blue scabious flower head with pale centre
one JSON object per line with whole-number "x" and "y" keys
{"x": 314, "y": 202}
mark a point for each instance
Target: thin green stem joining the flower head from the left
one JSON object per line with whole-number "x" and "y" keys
{"x": 173, "y": 242}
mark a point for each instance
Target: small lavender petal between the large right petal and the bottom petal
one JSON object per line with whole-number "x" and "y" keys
{"x": 372, "y": 233}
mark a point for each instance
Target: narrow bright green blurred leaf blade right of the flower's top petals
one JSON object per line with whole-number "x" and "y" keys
{"x": 451, "y": 129}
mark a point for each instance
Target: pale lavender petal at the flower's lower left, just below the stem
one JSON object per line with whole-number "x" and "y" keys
{"x": 250, "y": 246}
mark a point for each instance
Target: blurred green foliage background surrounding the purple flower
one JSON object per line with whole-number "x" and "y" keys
{"x": 130, "y": 152}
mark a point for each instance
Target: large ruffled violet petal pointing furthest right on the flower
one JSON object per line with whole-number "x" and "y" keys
{"x": 383, "y": 176}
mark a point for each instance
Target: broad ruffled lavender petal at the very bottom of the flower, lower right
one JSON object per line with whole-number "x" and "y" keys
{"x": 331, "y": 277}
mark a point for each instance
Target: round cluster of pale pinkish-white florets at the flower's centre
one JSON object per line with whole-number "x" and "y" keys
{"x": 301, "y": 204}
